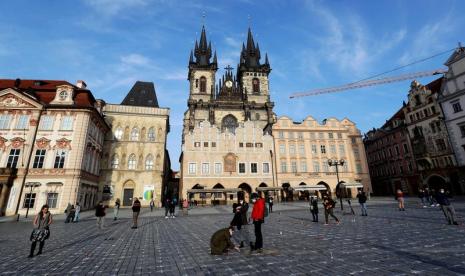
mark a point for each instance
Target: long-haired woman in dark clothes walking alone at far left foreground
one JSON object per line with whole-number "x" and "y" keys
{"x": 41, "y": 231}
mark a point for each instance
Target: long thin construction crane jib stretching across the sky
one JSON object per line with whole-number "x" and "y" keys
{"x": 366, "y": 83}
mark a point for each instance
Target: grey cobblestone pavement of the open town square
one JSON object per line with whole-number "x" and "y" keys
{"x": 386, "y": 242}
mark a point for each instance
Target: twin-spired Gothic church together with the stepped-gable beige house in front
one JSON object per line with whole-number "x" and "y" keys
{"x": 226, "y": 140}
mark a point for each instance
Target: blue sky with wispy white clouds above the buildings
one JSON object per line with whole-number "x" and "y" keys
{"x": 113, "y": 43}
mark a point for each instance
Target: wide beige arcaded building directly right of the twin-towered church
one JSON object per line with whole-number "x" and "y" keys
{"x": 302, "y": 151}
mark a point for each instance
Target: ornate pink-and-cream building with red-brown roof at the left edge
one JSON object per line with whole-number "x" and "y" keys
{"x": 51, "y": 142}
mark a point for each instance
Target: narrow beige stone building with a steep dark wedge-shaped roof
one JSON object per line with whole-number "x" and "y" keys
{"x": 135, "y": 153}
